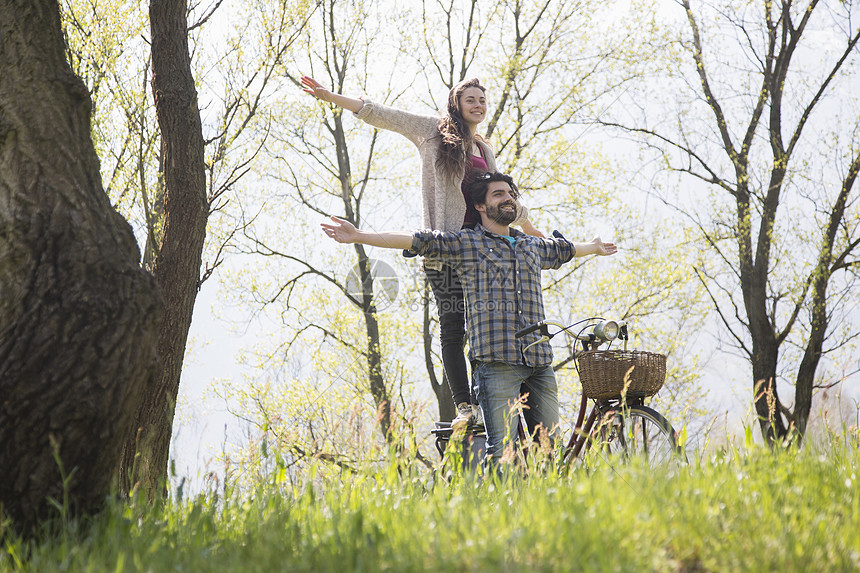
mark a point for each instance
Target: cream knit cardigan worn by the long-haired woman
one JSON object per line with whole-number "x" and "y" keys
{"x": 444, "y": 207}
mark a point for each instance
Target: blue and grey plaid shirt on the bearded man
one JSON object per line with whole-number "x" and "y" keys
{"x": 501, "y": 284}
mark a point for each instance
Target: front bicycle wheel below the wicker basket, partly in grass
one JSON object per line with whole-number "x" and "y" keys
{"x": 638, "y": 431}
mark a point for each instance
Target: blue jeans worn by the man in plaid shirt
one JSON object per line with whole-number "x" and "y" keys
{"x": 499, "y": 385}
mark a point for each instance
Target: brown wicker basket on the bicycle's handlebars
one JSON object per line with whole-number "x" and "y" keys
{"x": 604, "y": 373}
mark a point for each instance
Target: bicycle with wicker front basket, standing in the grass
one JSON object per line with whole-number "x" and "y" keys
{"x": 619, "y": 425}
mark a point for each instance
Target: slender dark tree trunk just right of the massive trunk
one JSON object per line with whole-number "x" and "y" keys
{"x": 177, "y": 263}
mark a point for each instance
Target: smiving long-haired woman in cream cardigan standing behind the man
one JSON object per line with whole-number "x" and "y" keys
{"x": 452, "y": 152}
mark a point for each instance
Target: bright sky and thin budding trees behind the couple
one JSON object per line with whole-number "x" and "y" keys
{"x": 716, "y": 143}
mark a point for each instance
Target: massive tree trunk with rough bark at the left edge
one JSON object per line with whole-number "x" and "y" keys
{"x": 78, "y": 316}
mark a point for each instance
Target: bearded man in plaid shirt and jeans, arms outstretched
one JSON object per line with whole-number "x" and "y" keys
{"x": 500, "y": 272}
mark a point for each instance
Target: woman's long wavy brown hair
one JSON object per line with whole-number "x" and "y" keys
{"x": 456, "y": 136}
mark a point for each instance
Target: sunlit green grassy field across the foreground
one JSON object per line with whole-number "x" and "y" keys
{"x": 734, "y": 511}
